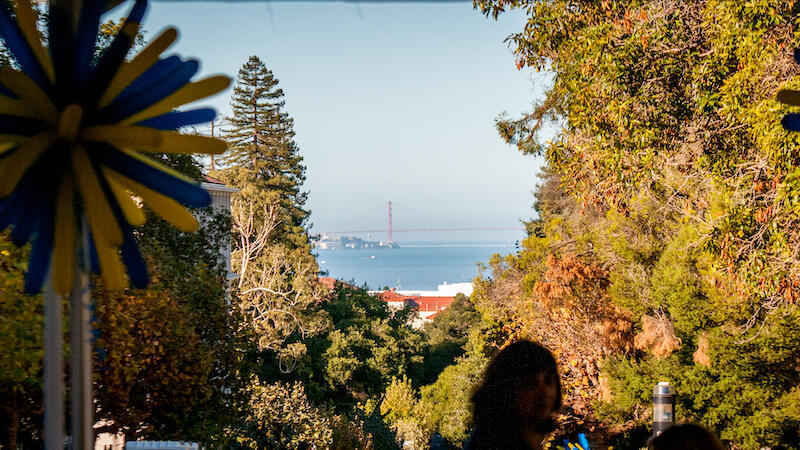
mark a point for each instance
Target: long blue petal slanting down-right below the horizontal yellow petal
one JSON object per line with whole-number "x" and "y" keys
{"x": 186, "y": 193}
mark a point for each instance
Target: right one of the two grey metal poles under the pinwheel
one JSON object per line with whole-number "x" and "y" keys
{"x": 82, "y": 407}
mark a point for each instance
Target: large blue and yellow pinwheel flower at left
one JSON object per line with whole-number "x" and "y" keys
{"x": 72, "y": 125}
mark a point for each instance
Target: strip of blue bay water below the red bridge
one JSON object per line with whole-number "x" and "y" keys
{"x": 412, "y": 266}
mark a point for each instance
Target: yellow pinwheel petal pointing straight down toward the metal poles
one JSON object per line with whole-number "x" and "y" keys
{"x": 63, "y": 260}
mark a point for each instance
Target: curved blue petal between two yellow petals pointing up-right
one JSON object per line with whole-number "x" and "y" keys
{"x": 119, "y": 110}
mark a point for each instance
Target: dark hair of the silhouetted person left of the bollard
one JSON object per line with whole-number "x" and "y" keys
{"x": 522, "y": 366}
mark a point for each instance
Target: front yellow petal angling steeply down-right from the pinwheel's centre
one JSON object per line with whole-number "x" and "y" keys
{"x": 103, "y": 224}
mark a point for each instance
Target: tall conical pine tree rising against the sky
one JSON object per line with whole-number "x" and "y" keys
{"x": 263, "y": 154}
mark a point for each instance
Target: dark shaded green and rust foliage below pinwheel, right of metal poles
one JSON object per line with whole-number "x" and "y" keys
{"x": 173, "y": 347}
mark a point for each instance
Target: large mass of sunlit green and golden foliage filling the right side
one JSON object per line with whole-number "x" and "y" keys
{"x": 670, "y": 171}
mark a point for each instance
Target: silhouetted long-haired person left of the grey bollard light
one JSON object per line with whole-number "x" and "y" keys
{"x": 514, "y": 405}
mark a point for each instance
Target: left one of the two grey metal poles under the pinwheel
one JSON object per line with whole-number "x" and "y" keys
{"x": 53, "y": 369}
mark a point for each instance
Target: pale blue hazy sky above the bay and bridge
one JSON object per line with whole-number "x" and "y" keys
{"x": 391, "y": 102}
